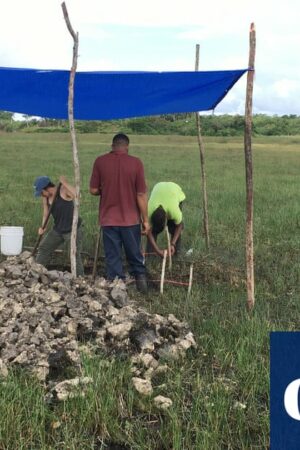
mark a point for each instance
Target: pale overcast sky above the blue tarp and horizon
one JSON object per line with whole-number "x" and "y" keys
{"x": 161, "y": 35}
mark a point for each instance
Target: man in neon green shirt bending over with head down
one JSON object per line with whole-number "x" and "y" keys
{"x": 165, "y": 209}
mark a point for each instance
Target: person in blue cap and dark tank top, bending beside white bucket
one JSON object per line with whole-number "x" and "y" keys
{"x": 62, "y": 197}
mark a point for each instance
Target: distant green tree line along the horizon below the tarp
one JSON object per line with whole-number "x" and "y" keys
{"x": 181, "y": 124}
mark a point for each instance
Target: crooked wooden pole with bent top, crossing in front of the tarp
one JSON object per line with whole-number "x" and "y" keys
{"x": 73, "y": 138}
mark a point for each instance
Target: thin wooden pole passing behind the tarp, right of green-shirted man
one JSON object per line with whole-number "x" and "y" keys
{"x": 202, "y": 161}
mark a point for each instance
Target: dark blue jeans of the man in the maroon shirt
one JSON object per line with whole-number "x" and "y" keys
{"x": 114, "y": 238}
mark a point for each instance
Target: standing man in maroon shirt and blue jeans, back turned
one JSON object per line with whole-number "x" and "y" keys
{"x": 119, "y": 180}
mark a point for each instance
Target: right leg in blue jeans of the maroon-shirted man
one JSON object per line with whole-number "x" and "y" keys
{"x": 131, "y": 238}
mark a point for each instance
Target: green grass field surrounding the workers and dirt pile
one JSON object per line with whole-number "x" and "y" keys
{"x": 220, "y": 392}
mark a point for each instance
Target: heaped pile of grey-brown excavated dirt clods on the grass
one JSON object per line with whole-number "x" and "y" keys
{"x": 46, "y": 315}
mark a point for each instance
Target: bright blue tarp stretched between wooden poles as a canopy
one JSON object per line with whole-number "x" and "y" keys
{"x": 112, "y": 95}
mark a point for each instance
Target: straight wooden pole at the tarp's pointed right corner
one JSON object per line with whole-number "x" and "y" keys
{"x": 249, "y": 171}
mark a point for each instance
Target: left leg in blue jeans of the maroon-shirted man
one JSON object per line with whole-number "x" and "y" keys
{"x": 112, "y": 243}
